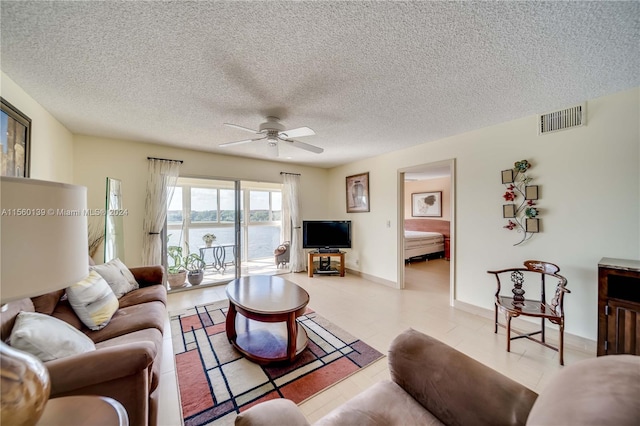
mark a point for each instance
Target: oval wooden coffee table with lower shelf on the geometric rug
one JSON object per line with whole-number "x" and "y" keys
{"x": 266, "y": 329}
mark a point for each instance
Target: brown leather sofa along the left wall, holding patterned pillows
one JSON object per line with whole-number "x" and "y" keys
{"x": 126, "y": 363}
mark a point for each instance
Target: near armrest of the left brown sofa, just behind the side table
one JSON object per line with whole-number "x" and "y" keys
{"x": 102, "y": 365}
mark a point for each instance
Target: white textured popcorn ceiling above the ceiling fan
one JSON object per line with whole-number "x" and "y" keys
{"x": 368, "y": 77}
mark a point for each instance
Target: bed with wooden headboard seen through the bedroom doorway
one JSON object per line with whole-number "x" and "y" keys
{"x": 426, "y": 237}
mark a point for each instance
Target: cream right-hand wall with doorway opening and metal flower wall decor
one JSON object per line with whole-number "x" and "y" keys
{"x": 590, "y": 198}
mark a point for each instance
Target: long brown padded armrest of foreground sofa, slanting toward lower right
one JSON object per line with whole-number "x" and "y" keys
{"x": 455, "y": 388}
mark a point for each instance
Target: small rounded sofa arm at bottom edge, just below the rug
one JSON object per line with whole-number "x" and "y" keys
{"x": 275, "y": 412}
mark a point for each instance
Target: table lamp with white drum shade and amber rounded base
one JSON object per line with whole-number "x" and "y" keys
{"x": 43, "y": 248}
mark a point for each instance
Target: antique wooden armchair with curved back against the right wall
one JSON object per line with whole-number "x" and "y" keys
{"x": 519, "y": 305}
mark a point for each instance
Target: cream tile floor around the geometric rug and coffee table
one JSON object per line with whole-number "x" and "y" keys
{"x": 376, "y": 314}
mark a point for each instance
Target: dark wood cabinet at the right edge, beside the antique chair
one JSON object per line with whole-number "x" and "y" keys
{"x": 618, "y": 306}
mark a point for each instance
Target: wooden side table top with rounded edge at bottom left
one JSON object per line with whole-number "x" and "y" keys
{"x": 85, "y": 410}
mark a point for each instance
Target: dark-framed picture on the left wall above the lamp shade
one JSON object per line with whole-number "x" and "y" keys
{"x": 15, "y": 141}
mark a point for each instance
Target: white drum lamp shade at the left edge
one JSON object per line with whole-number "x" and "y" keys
{"x": 44, "y": 244}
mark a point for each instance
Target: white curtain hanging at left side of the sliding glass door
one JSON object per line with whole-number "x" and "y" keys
{"x": 161, "y": 182}
